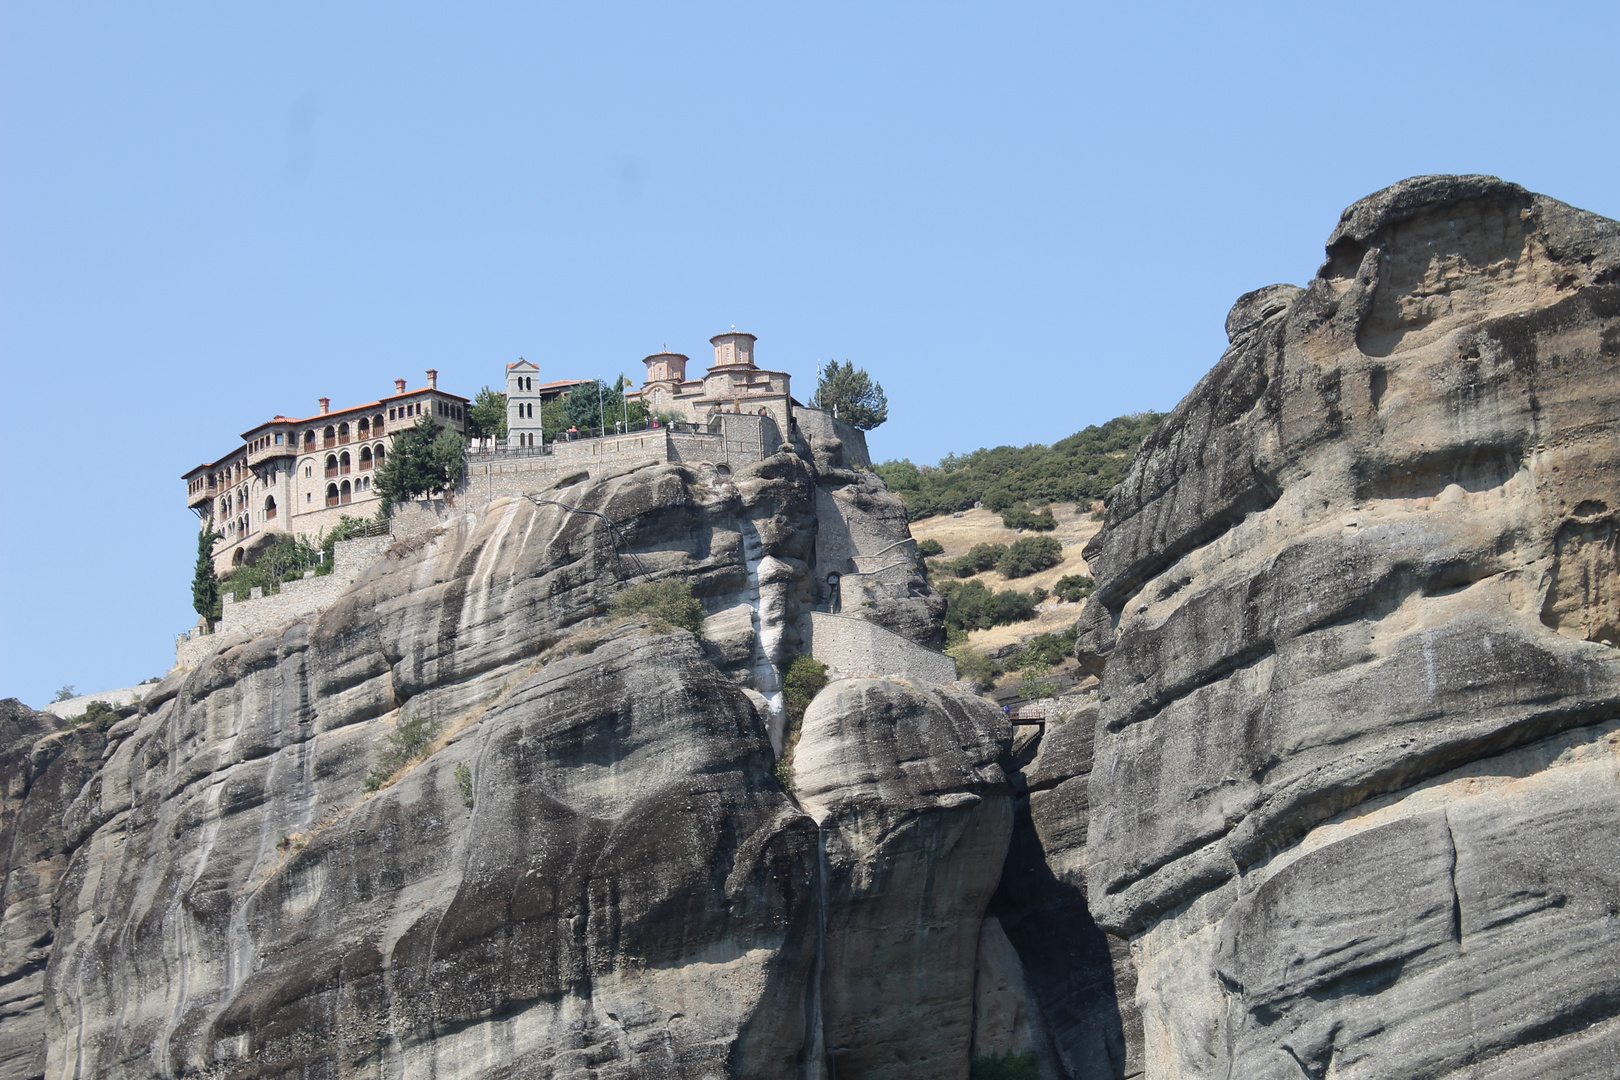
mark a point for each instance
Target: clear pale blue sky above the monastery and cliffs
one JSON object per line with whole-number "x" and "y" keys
{"x": 1021, "y": 219}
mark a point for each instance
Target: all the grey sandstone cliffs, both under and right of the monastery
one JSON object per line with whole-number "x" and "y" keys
{"x": 1345, "y": 807}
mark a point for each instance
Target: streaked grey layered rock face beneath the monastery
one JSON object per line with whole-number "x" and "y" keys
{"x": 595, "y": 872}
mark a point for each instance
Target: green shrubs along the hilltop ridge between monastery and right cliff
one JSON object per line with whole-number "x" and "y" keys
{"x": 1076, "y": 470}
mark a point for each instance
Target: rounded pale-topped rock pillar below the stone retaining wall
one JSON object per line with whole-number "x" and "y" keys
{"x": 914, "y": 814}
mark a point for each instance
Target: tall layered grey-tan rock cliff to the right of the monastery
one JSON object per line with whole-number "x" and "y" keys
{"x": 1355, "y": 794}
